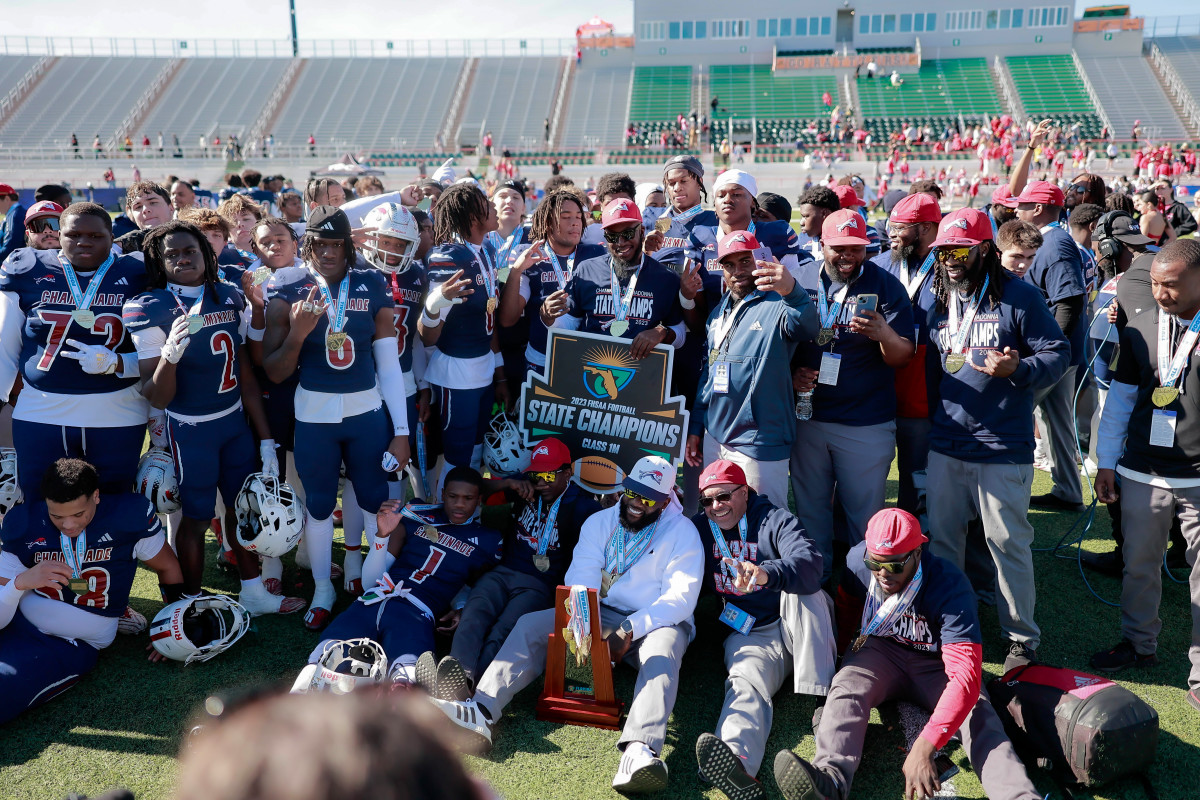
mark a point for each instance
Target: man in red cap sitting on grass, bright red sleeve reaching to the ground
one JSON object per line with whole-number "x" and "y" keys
{"x": 920, "y": 641}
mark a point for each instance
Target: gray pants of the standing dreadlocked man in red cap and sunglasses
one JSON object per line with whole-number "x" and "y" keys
{"x": 998, "y": 495}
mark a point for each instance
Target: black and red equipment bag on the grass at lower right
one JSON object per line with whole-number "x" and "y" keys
{"x": 1083, "y": 727}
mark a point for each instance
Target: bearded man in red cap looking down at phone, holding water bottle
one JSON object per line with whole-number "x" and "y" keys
{"x": 850, "y": 371}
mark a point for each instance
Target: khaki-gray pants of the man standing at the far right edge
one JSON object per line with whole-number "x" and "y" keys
{"x": 1147, "y": 518}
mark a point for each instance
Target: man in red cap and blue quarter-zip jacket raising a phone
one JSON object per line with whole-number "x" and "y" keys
{"x": 746, "y": 376}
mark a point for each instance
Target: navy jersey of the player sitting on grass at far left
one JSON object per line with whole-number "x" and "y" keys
{"x": 122, "y": 521}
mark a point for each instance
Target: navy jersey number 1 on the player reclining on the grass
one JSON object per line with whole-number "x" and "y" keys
{"x": 436, "y": 572}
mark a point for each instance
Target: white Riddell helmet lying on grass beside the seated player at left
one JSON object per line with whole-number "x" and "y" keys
{"x": 197, "y": 629}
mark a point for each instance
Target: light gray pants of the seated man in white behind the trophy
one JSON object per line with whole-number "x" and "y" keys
{"x": 657, "y": 657}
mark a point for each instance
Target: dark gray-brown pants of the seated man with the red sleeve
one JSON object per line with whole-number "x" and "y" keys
{"x": 884, "y": 671}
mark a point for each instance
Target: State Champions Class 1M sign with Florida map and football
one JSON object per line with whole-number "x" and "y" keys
{"x": 609, "y": 408}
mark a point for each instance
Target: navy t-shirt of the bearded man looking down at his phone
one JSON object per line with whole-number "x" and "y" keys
{"x": 866, "y": 393}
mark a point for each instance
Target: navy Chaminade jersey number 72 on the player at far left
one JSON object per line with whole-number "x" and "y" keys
{"x": 38, "y": 280}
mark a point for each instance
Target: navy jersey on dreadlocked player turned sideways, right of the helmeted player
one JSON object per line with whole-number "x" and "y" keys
{"x": 469, "y": 327}
